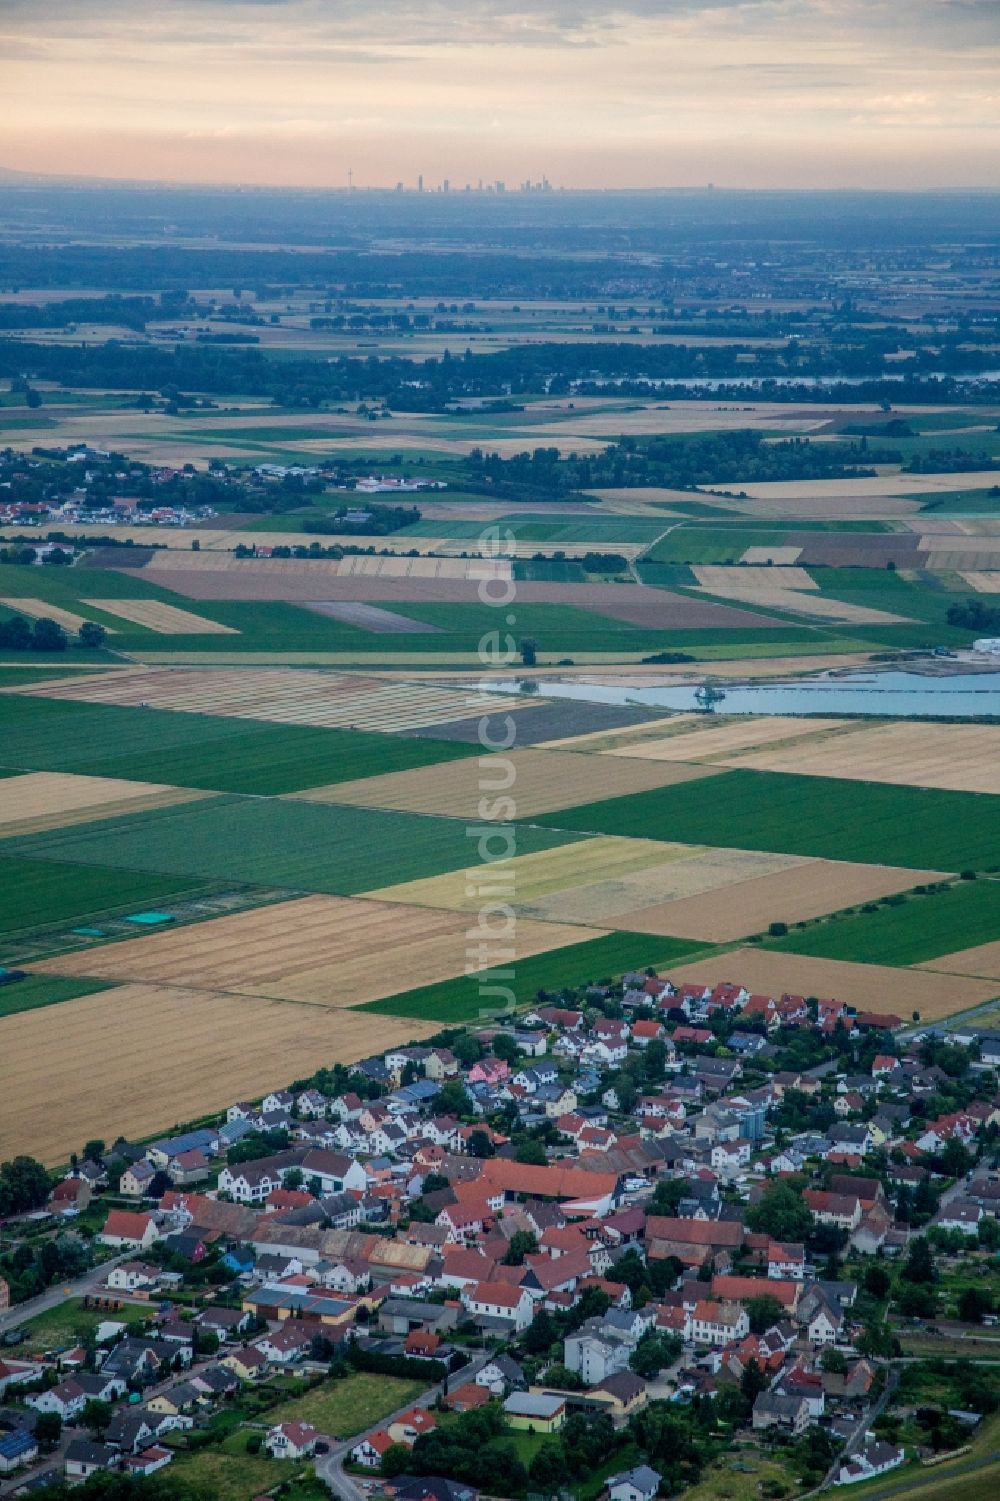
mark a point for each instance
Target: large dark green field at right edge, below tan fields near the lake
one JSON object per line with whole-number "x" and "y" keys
{"x": 812, "y": 816}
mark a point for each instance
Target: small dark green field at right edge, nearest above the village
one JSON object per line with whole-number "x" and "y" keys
{"x": 923, "y": 928}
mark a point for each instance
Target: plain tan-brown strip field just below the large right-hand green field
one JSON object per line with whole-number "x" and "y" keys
{"x": 801, "y": 892}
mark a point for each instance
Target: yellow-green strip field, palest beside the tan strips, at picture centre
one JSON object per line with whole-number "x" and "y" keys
{"x": 531, "y": 877}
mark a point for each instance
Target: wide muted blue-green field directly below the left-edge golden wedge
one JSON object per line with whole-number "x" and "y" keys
{"x": 306, "y": 847}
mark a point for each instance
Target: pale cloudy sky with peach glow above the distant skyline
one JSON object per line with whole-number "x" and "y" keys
{"x": 642, "y": 94}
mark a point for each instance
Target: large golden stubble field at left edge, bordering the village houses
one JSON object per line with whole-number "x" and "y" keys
{"x": 97, "y": 1065}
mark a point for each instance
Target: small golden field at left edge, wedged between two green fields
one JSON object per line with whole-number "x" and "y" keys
{"x": 41, "y": 801}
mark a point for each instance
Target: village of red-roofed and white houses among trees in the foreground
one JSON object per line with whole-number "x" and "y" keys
{"x": 640, "y": 1235}
